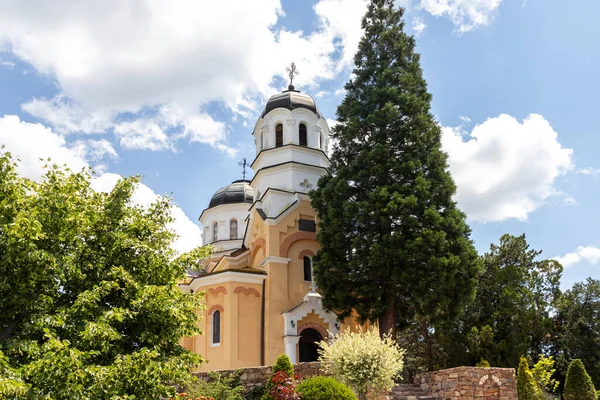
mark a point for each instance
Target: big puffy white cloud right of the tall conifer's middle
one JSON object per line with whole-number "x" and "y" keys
{"x": 505, "y": 168}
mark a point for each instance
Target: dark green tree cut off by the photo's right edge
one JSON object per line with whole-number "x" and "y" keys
{"x": 577, "y": 328}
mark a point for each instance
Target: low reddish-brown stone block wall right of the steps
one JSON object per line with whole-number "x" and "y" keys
{"x": 470, "y": 383}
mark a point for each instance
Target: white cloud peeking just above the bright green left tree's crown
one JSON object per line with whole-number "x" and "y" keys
{"x": 32, "y": 142}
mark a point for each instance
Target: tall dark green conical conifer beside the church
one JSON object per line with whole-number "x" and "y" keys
{"x": 393, "y": 242}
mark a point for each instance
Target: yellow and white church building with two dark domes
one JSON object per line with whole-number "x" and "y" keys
{"x": 260, "y": 293}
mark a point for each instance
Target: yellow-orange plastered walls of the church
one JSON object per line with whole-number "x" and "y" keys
{"x": 285, "y": 288}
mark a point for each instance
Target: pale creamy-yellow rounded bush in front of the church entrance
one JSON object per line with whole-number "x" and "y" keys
{"x": 362, "y": 360}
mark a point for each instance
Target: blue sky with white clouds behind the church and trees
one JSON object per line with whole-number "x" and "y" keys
{"x": 172, "y": 91}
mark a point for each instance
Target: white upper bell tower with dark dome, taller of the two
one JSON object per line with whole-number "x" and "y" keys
{"x": 291, "y": 138}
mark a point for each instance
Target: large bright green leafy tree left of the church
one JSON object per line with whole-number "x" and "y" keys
{"x": 89, "y": 306}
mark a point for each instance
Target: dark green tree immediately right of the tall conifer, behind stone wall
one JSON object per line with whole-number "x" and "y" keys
{"x": 510, "y": 316}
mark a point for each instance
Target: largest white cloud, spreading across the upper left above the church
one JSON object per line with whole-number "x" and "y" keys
{"x": 152, "y": 53}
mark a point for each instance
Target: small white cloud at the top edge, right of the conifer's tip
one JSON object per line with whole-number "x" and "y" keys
{"x": 466, "y": 15}
